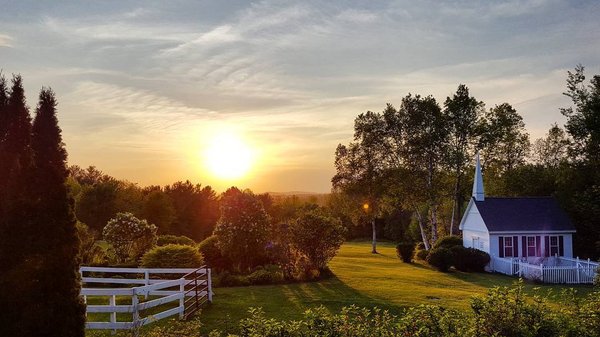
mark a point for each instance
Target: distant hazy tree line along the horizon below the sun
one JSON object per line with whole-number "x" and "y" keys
{"x": 181, "y": 208}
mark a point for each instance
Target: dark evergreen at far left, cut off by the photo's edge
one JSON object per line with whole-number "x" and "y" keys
{"x": 15, "y": 227}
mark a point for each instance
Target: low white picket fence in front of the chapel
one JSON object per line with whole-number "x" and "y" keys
{"x": 554, "y": 270}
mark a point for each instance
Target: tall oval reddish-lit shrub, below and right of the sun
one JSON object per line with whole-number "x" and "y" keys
{"x": 243, "y": 230}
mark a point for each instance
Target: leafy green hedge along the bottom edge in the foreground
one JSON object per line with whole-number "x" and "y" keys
{"x": 503, "y": 311}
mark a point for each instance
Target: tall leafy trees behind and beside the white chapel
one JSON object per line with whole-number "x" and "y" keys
{"x": 418, "y": 159}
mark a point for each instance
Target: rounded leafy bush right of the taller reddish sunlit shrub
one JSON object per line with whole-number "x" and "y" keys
{"x": 316, "y": 236}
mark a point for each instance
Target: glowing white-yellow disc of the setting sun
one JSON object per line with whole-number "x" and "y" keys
{"x": 228, "y": 156}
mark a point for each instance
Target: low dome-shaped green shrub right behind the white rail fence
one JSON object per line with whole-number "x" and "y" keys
{"x": 172, "y": 256}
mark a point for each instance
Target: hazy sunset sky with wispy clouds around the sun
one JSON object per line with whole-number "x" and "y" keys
{"x": 144, "y": 87}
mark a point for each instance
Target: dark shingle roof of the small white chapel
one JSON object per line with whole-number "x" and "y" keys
{"x": 523, "y": 214}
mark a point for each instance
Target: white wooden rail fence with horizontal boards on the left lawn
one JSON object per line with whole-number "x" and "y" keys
{"x": 192, "y": 283}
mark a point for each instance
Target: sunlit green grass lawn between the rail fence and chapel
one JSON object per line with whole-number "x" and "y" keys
{"x": 363, "y": 279}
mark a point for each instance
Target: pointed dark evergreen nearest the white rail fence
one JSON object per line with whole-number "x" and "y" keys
{"x": 60, "y": 310}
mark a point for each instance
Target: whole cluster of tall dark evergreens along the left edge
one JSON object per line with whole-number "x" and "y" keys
{"x": 39, "y": 252}
